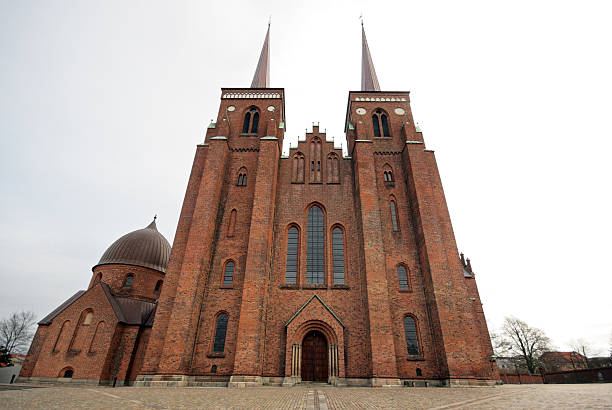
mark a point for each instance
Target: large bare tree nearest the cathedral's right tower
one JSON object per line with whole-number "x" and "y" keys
{"x": 528, "y": 342}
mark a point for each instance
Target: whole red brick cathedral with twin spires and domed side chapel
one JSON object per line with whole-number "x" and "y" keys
{"x": 309, "y": 267}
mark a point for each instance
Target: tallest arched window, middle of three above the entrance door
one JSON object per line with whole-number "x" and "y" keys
{"x": 315, "y": 250}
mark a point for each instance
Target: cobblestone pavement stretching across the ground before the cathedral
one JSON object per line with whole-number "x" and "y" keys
{"x": 558, "y": 396}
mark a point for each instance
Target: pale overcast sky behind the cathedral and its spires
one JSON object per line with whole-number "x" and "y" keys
{"x": 102, "y": 104}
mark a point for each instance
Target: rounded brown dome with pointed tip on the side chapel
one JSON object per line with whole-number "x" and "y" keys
{"x": 145, "y": 247}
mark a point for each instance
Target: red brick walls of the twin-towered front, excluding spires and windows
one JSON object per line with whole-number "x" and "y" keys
{"x": 362, "y": 318}
